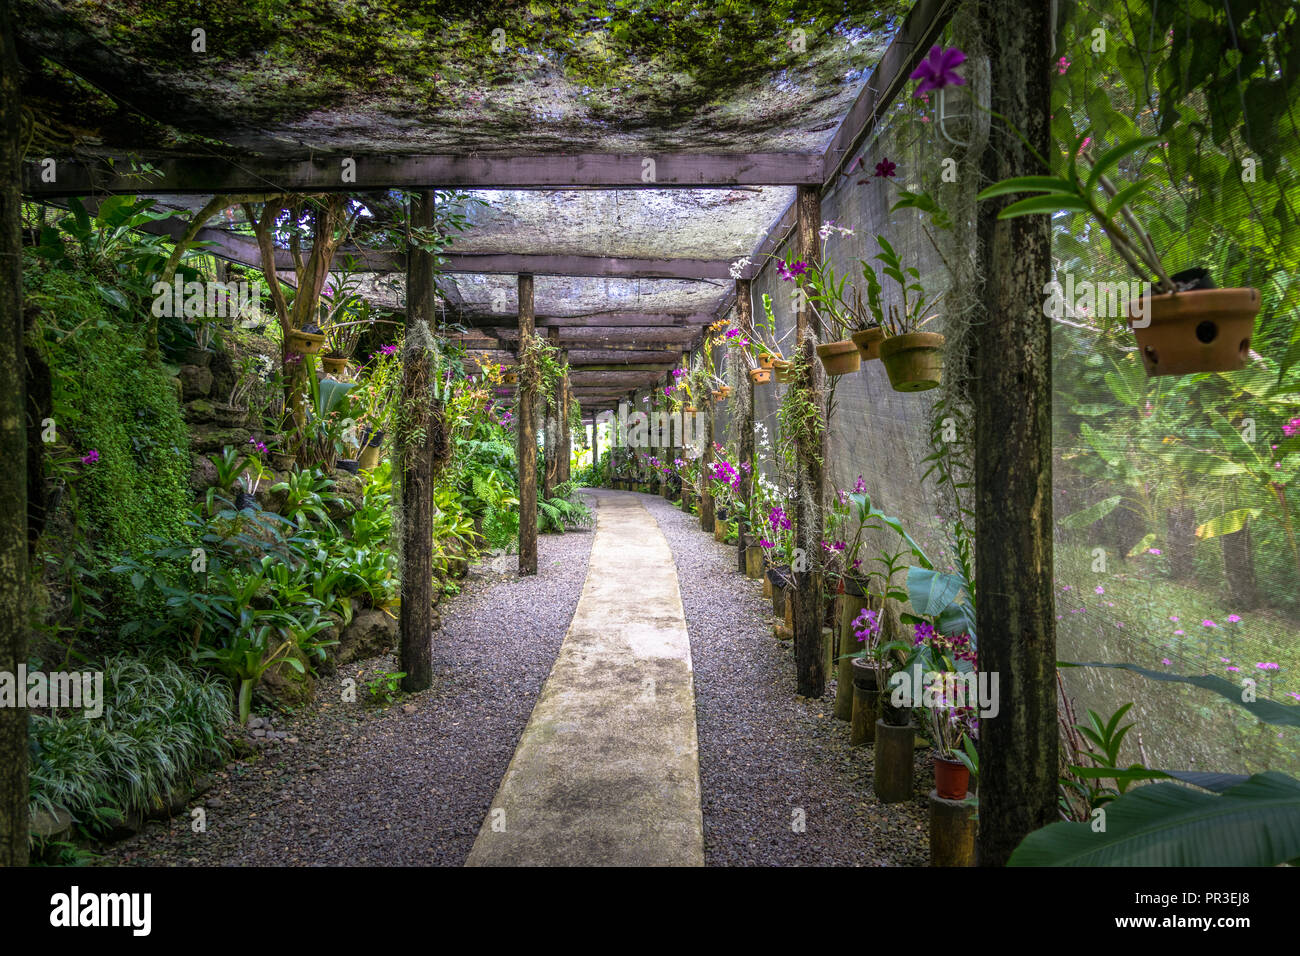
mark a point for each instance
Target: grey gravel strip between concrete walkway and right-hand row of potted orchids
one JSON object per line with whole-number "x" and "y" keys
{"x": 766, "y": 752}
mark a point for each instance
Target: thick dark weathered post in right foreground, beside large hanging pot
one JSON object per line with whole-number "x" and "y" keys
{"x": 1013, "y": 473}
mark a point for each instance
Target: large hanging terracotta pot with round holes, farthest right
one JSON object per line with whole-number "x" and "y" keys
{"x": 1199, "y": 331}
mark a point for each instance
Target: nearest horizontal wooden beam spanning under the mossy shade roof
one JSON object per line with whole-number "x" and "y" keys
{"x": 419, "y": 172}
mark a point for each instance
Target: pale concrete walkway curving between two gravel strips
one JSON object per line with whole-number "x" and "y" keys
{"x": 608, "y": 771}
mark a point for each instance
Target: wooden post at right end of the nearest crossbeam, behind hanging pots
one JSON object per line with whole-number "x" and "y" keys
{"x": 811, "y": 667}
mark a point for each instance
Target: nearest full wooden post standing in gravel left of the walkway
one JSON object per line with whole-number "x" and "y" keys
{"x": 417, "y": 616}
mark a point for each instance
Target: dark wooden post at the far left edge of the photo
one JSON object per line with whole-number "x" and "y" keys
{"x": 14, "y": 477}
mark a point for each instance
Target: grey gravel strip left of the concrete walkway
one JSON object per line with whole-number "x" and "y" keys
{"x": 406, "y": 785}
